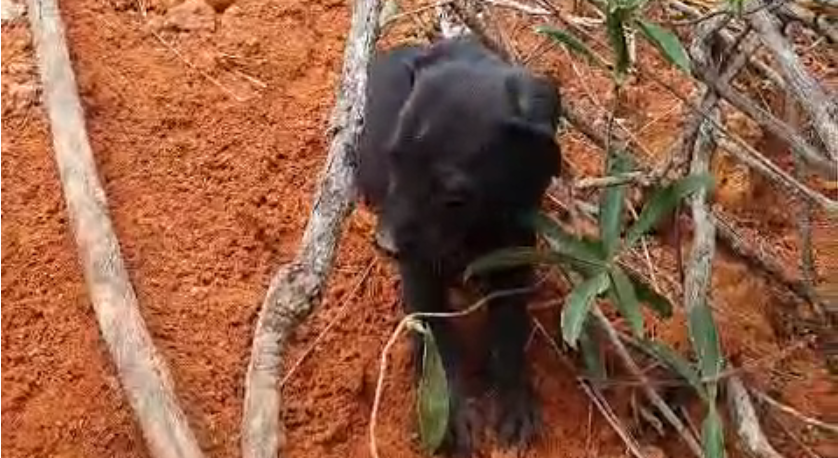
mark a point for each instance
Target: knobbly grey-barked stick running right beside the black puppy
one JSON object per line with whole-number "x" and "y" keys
{"x": 294, "y": 289}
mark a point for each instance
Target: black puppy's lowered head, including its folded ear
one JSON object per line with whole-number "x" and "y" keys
{"x": 474, "y": 145}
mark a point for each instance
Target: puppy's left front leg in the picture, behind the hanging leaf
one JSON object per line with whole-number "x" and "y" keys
{"x": 424, "y": 290}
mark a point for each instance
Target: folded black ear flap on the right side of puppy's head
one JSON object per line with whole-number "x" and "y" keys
{"x": 534, "y": 147}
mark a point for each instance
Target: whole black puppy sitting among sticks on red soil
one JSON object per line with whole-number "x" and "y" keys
{"x": 458, "y": 146}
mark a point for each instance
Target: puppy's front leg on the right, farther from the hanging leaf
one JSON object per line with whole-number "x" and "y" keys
{"x": 518, "y": 417}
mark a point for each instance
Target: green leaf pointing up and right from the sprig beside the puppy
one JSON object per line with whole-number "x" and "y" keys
{"x": 663, "y": 201}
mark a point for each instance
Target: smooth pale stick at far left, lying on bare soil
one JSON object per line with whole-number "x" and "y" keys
{"x": 142, "y": 371}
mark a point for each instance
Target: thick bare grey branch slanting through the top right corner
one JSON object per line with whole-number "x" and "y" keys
{"x": 806, "y": 89}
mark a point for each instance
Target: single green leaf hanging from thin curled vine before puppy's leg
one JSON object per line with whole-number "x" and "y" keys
{"x": 433, "y": 403}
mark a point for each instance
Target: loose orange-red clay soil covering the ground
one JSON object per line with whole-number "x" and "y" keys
{"x": 209, "y": 143}
